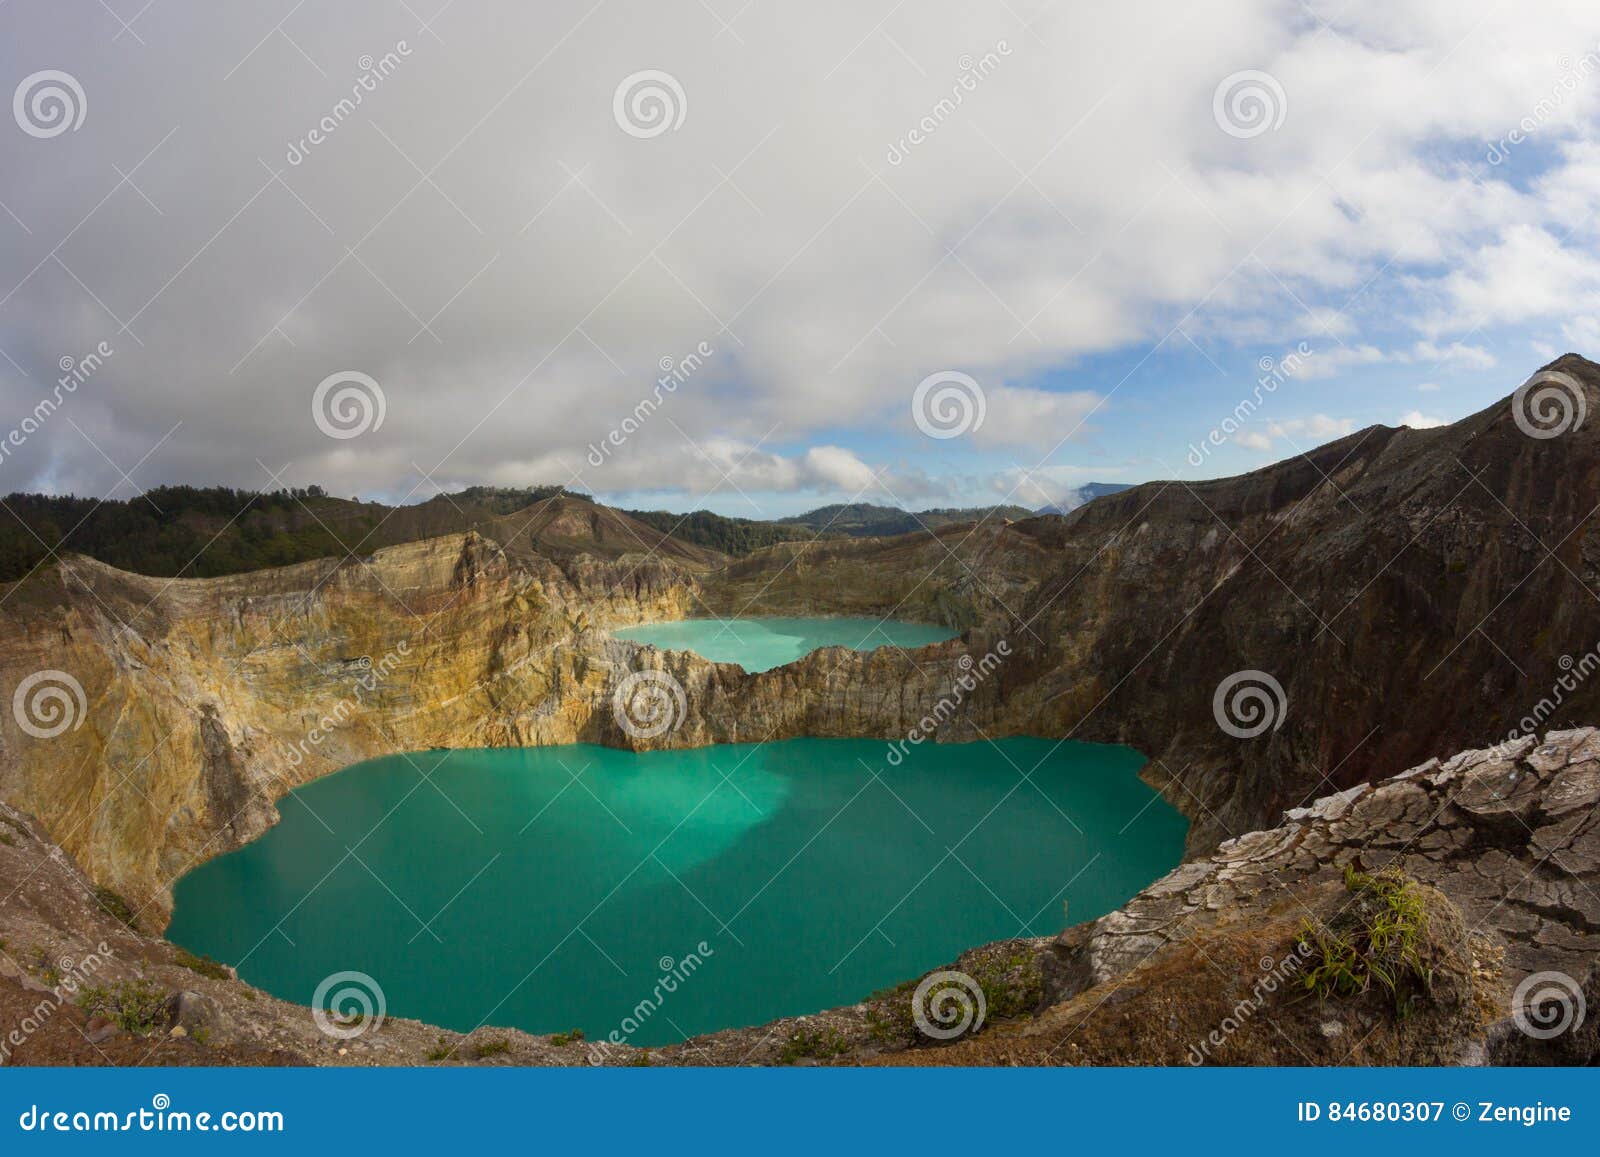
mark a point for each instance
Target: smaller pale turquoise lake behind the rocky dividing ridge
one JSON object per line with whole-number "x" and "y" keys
{"x": 766, "y": 644}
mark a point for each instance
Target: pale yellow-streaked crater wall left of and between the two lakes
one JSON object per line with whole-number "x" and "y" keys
{"x": 207, "y": 700}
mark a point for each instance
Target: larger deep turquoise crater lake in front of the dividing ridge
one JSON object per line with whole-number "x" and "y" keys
{"x": 553, "y": 889}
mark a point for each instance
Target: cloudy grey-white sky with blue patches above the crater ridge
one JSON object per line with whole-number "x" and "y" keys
{"x": 756, "y": 257}
